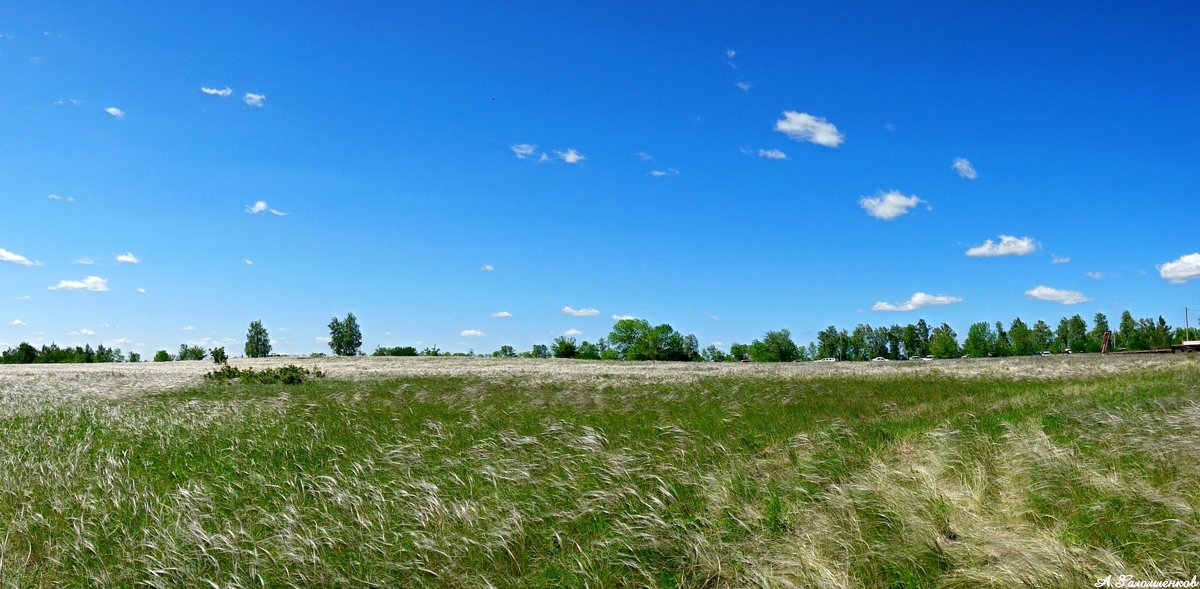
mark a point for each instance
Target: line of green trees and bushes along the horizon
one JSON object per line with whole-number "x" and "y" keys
{"x": 639, "y": 340}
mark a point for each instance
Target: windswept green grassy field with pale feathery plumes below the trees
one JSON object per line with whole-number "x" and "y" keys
{"x": 523, "y": 473}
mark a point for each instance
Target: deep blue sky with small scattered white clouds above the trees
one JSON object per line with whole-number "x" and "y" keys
{"x": 727, "y": 170}
